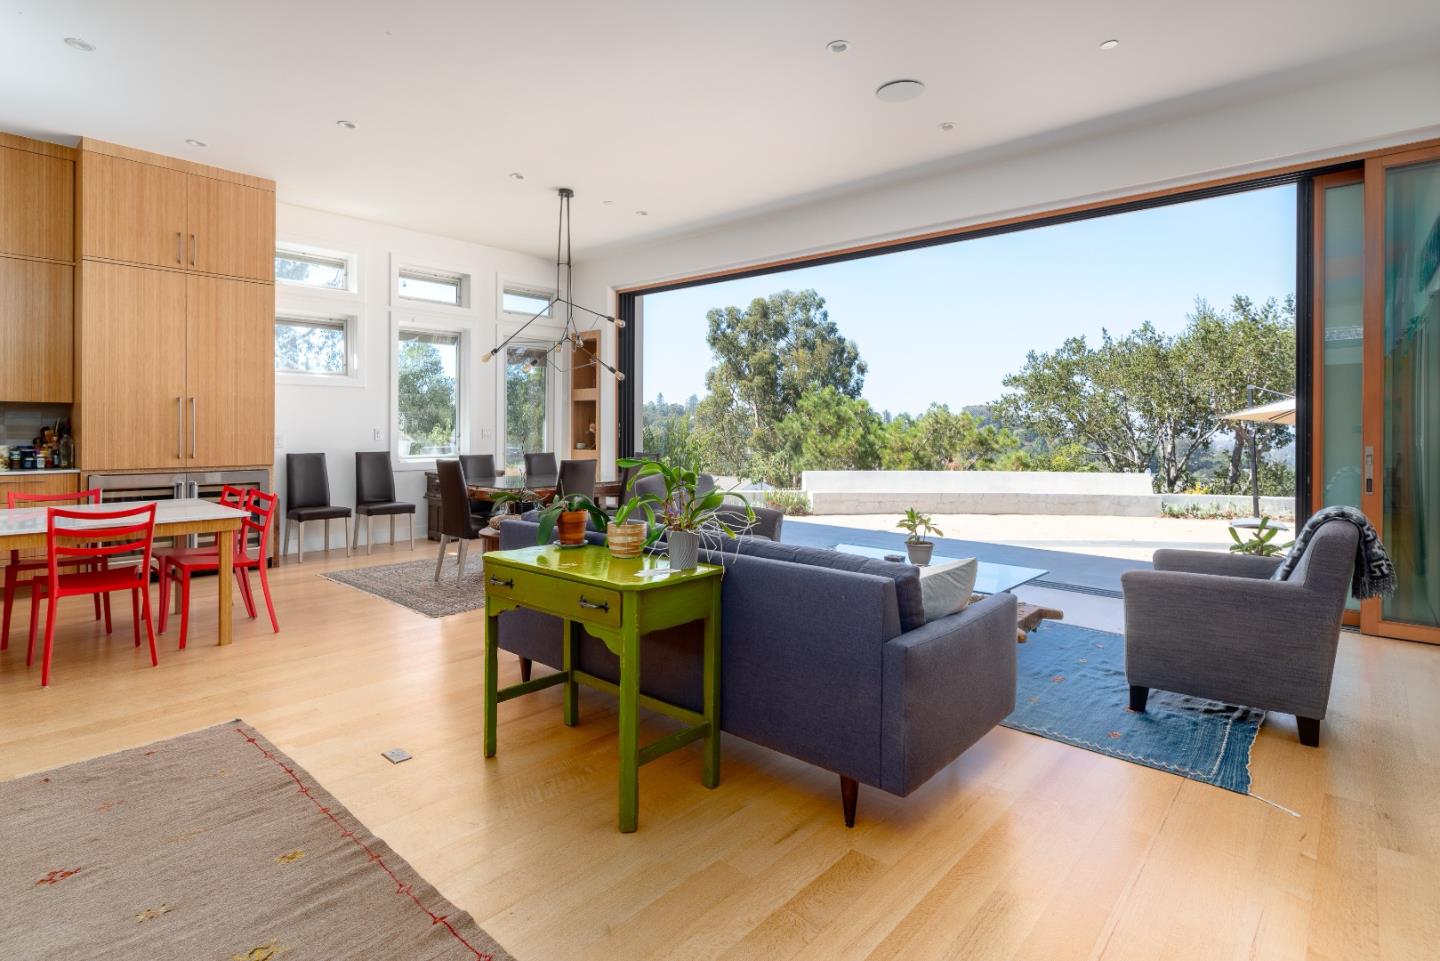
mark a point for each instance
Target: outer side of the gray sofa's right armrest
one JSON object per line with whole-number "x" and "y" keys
{"x": 945, "y": 687}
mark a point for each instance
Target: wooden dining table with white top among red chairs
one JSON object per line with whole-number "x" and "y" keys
{"x": 24, "y": 529}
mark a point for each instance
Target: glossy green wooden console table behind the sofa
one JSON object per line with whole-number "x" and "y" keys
{"x": 618, "y": 600}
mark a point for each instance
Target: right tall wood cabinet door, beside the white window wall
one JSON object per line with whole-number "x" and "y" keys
{"x": 231, "y": 372}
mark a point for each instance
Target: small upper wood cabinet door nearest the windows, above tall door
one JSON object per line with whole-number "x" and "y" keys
{"x": 233, "y": 228}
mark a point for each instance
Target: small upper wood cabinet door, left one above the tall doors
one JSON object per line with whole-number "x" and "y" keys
{"x": 133, "y": 211}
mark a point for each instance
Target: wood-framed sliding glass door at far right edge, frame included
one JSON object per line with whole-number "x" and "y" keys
{"x": 1403, "y": 385}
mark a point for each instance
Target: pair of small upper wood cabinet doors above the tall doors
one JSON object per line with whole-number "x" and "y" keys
{"x": 145, "y": 208}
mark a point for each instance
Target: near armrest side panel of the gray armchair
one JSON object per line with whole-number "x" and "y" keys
{"x": 1258, "y": 643}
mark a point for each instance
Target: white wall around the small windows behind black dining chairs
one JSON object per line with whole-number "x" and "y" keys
{"x": 343, "y": 419}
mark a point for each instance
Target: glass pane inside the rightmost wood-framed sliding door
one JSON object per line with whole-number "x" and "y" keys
{"x": 1412, "y": 436}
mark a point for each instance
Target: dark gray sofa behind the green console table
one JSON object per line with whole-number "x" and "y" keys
{"x": 824, "y": 658}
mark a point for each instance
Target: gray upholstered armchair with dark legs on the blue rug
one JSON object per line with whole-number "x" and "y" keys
{"x": 1216, "y": 626}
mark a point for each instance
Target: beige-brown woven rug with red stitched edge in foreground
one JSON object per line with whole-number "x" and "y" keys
{"x": 212, "y": 845}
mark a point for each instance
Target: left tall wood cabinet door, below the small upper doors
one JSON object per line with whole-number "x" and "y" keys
{"x": 133, "y": 351}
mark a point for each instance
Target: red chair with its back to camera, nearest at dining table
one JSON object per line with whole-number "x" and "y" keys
{"x": 94, "y": 542}
